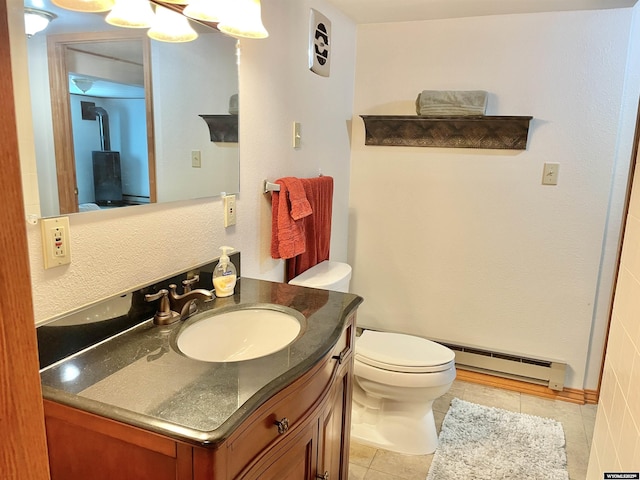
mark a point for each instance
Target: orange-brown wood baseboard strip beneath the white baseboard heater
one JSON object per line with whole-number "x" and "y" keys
{"x": 571, "y": 395}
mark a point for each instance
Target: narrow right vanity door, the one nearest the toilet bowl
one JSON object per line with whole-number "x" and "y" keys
{"x": 335, "y": 424}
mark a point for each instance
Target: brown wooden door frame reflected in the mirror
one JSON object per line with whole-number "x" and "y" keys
{"x": 57, "y": 46}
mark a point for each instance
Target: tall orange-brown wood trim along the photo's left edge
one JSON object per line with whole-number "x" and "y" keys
{"x": 23, "y": 449}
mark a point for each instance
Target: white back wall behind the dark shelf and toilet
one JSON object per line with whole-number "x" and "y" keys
{"x": 472, "y": 248}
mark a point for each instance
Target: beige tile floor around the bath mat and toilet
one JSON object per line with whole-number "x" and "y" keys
{"x": 369, "y": 463}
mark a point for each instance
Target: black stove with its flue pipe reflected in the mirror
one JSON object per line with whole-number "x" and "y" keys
{"x": 107, "y": 176}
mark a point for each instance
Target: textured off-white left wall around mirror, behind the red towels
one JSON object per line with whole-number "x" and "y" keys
{"x": 116, "y": 250}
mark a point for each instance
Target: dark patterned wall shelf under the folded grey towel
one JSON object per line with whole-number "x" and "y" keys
{"x": 449, "y": 132}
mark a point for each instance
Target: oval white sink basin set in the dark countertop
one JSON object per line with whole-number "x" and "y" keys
{"x": 238, "y": 334}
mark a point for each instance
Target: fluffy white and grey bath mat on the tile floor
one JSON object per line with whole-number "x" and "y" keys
{"x": 485, "y": 443}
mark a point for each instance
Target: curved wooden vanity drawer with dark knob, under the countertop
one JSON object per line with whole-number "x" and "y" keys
{"x": 291, "y": 407}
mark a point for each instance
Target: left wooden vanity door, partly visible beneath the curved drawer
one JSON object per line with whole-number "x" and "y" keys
{"x": 294, "y": 459}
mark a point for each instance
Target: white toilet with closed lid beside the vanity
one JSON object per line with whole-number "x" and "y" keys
{"x": 397, "y": 378}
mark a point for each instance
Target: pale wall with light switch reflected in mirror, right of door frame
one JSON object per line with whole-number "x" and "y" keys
{"x": 178, "y": 126}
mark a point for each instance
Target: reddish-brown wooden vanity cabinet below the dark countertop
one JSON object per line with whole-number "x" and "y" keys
{"x": 312, "y": 440}
